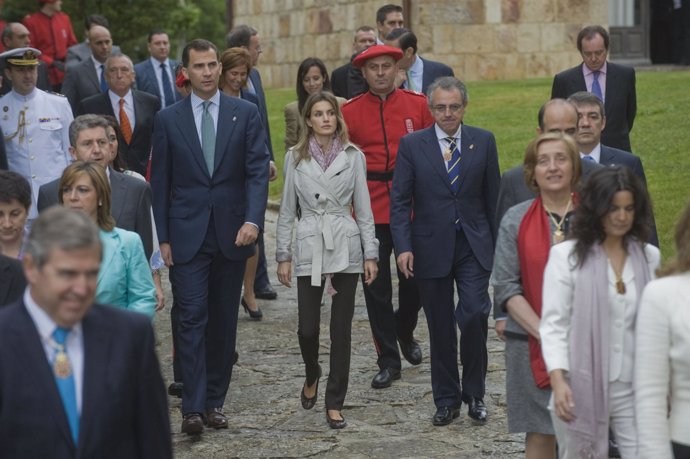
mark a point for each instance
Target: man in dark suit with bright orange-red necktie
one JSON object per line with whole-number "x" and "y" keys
{"x": 134, "y": 111}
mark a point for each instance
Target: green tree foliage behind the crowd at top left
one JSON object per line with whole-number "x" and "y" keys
{"x": 132, "y": 20}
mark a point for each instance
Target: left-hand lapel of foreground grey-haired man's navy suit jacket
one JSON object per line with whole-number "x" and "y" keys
{"x": 39, "y": 371}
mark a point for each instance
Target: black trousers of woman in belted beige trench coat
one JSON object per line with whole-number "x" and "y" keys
{"x": 309, "y": 313}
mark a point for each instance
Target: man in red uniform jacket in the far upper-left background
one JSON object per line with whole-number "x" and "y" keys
{"x": 51, "y": 32}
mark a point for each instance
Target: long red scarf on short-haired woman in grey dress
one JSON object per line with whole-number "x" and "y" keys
{"x": 534, "y": 243}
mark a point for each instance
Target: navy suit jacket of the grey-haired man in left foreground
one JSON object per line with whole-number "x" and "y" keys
{"x": 124, "y": 410}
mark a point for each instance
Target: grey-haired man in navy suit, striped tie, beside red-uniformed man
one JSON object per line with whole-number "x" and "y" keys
{"x": 443, "y": 204}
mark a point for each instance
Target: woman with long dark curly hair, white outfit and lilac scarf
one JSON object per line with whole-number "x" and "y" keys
{"x": 592, "y": 286}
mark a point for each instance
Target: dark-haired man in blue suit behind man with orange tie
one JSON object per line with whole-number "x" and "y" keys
{"x": 156, "y": 75}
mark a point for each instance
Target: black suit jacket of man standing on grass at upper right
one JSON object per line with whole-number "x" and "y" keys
{"x": 620, "y": 104}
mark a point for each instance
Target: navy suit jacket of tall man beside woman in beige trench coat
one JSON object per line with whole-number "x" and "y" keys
{"x": 185, "y": 194}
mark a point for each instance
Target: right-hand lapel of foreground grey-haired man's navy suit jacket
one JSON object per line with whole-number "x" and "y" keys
{"x": 96, "y": 355}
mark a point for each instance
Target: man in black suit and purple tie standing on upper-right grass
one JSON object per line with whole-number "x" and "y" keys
{"x": 612, "y": 83}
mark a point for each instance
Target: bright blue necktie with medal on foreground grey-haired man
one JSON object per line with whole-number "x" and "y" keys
{"x": 64, "y": 379}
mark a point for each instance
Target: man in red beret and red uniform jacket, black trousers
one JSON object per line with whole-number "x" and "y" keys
{"x": 376, "y": 121}
